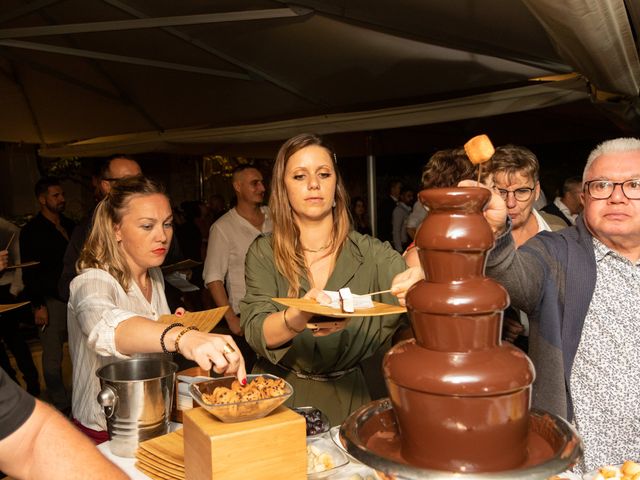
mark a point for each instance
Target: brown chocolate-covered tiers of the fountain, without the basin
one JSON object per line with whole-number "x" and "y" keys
{"x": 461, "y": 397}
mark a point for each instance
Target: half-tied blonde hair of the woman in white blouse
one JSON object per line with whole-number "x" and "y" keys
{"x": 101, "y": 248}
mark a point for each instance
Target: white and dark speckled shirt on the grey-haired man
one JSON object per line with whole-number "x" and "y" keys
{"x": 605, "y": 377}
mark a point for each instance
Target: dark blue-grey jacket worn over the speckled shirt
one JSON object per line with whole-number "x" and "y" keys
{"x": 552, "y": 278}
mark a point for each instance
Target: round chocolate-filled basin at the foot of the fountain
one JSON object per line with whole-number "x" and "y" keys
{"x": 370, "y": 434}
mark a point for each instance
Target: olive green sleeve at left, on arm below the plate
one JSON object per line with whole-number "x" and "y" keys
{"x": 263, "y": 283}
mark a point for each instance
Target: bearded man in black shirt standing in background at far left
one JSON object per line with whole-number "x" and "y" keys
{"x": 44, "y": 239}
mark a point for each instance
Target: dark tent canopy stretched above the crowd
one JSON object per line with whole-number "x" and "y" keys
{"x": 91, "y": 77}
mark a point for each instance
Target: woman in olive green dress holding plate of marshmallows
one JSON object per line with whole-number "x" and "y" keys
{"x": 313, "y": 248}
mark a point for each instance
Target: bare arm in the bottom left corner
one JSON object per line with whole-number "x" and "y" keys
{"x": 48, "y": 446}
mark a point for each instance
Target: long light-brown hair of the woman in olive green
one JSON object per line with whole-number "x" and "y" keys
{"x": 287, "y": 250}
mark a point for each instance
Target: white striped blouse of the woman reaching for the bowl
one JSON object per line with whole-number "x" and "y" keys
{"x": 97, "y": 305}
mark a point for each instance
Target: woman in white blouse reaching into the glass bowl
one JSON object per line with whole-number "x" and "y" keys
{"x": 118, "y": 296}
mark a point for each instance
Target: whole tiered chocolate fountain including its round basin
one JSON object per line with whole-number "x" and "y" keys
{"x": 460, "y": 399}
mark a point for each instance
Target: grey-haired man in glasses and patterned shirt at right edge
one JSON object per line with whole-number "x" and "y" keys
{"x": 580, "y": 288}
